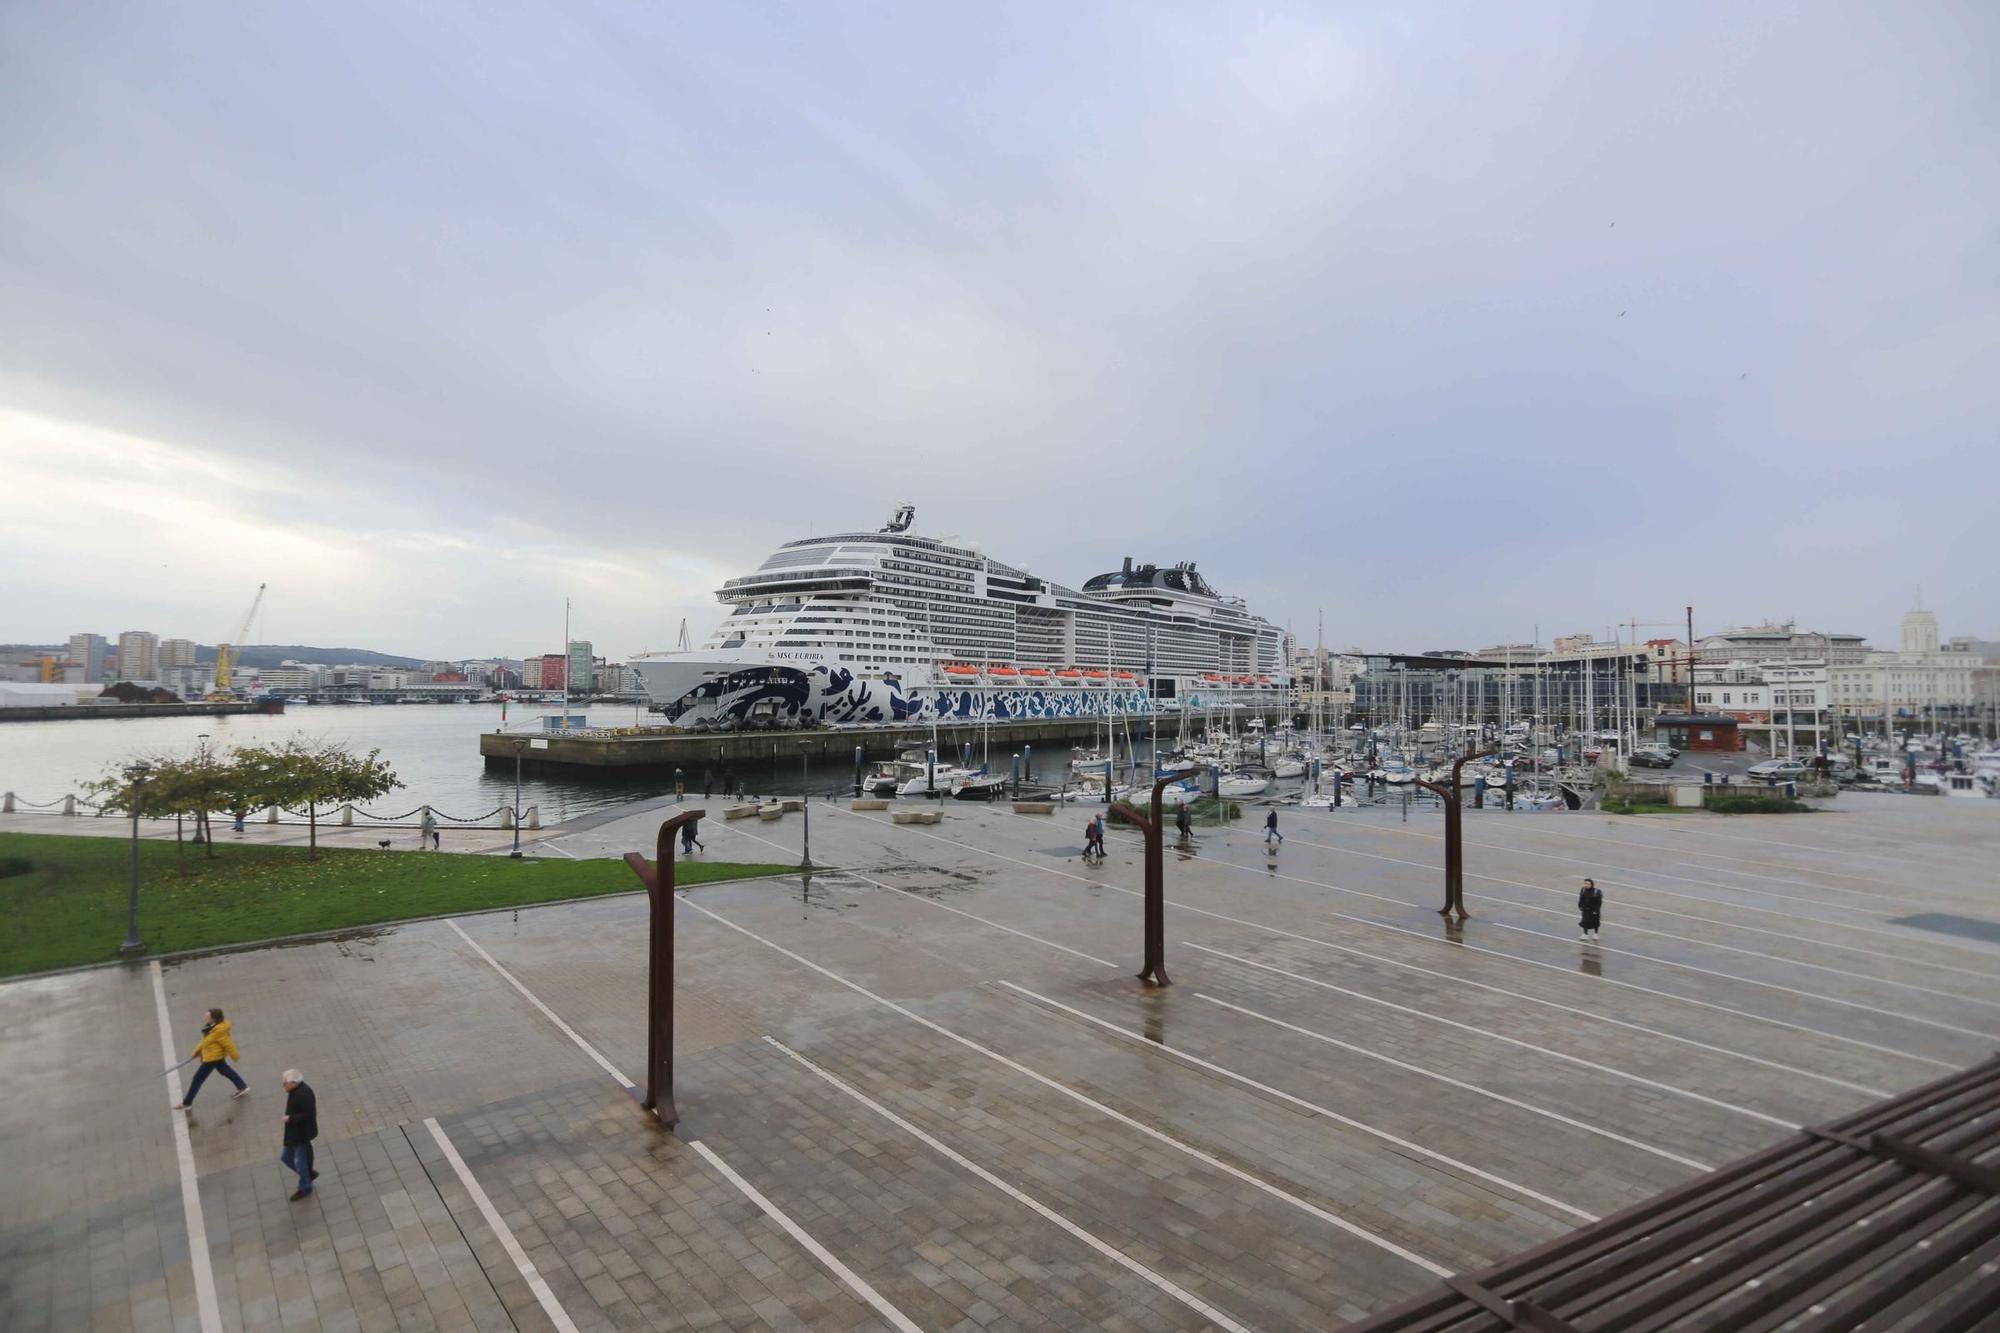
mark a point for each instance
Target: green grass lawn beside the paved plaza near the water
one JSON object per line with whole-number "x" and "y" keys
{"x": 63, "y": 900}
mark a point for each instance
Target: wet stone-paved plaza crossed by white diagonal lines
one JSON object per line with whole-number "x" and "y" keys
{"x": 925, "y": 1090}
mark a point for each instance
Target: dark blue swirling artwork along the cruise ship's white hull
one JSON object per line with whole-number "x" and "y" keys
{"x": 835, "y": 696}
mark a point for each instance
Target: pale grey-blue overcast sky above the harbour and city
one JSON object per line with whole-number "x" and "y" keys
{"x": 1451, "y": 323}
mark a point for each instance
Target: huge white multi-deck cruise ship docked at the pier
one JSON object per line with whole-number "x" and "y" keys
{"x": 889, "y": 627}
